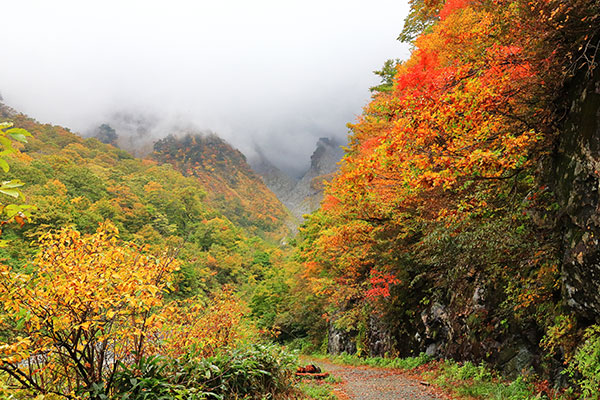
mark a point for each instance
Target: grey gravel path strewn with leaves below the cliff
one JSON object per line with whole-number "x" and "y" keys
{"x": 367, "y": 383}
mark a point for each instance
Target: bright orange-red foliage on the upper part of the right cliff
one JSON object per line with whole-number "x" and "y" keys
{"x": 466, "y": 114}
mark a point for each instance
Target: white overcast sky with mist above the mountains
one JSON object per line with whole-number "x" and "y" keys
{"x": 278, "y": 74}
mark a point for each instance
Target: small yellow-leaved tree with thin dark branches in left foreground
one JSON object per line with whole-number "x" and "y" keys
{"x": 88, "y": 306}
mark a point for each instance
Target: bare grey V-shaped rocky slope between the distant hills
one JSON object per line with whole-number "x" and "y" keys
{"x": 304, "y": 195}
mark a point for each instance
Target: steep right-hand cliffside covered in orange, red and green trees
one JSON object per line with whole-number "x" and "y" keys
{"x": 462, "y": 221}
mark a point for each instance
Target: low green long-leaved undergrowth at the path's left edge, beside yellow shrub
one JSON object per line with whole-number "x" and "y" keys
{"x": 250, "y": 372}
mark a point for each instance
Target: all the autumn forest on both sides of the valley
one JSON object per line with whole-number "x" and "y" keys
{"x": 459, "y": 230}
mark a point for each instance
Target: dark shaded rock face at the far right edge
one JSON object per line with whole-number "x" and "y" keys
{"x": 576, "y": 180}
